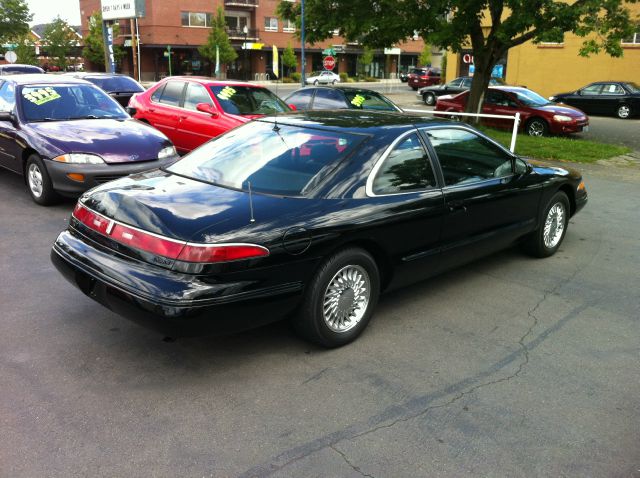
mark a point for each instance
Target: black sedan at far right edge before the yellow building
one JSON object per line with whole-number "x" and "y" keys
{"x": 619, "y": 98}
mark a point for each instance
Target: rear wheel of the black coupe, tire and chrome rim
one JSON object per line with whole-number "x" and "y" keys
{"x": 340, "y": 299}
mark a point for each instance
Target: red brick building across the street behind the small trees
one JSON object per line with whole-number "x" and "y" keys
{"x": 183, "y": 25}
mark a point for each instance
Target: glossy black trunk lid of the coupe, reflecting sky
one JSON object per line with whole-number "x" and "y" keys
{"x": 189, "y": 210}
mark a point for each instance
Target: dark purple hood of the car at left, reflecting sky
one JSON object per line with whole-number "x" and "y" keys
{"x": 116, "y": 141}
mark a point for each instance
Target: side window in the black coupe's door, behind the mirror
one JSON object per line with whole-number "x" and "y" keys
{"x": 466, "y": 157}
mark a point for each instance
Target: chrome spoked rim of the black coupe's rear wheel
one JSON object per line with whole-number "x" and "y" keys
{"x": 346, "y": 298}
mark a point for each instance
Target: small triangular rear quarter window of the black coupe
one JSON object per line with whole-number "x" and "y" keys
{"x": 406, "y": 168}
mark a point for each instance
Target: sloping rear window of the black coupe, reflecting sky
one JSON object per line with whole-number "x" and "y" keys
{"x": 287, "y": 161}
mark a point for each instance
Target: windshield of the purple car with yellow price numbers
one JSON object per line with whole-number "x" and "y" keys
{"x": 68, "y": 102}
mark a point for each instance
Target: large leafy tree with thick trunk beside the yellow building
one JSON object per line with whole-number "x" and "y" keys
{"x": 491, "y": 27}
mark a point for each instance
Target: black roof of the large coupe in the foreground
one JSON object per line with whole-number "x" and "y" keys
{"x": 357, "y": 121}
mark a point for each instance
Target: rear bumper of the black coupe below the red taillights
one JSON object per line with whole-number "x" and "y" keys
{"x": 172, "y": 303}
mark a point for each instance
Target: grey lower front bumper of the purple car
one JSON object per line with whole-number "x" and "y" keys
{"x": 95, "y": 174}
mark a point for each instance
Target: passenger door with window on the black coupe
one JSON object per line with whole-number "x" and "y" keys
{"x": 491, "y": 197}
